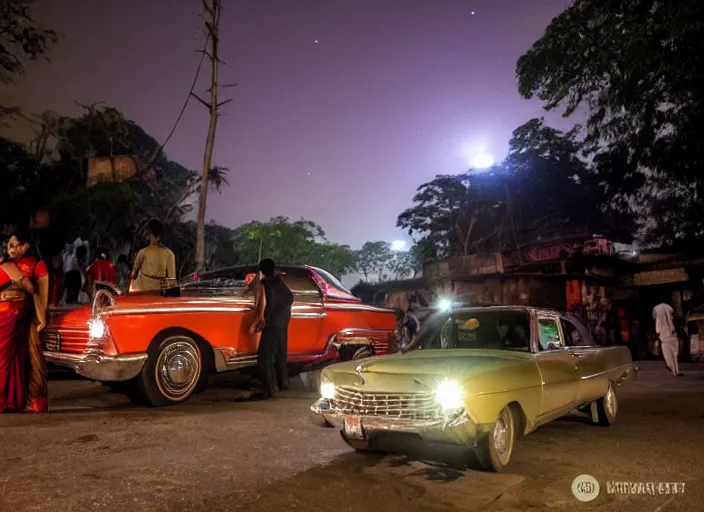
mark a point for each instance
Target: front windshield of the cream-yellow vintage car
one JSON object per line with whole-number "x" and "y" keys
{"x": 477, "y": 329}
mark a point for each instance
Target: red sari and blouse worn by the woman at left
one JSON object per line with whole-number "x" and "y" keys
{"x": 16, "y": 314}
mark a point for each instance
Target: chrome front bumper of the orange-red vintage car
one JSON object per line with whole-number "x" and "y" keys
{"x": 100, "y": 367}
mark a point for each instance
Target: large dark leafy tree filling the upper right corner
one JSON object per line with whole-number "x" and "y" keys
{"x": 636, "y": 67}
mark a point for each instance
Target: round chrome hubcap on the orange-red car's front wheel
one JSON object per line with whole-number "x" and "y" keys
{"x": 178, "y": 368}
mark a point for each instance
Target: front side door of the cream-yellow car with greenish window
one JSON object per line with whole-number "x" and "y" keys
{"x": 558, "y": 368}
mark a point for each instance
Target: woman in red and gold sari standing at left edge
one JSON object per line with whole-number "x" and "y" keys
{"x": 24, "y": 293}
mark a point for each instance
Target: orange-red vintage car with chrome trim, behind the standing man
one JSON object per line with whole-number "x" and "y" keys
{"x": 160, "y": 349}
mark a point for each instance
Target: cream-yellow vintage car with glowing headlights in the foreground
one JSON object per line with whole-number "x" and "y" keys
{"x": 478, "y": 379}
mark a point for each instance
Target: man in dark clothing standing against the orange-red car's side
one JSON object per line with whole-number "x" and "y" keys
{"x": 272, "y": 320}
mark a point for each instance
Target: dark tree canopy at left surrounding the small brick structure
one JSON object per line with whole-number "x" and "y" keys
{"x": 52, "y": 174}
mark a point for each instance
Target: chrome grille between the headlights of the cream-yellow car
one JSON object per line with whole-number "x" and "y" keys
{"x": 411, "y": 406}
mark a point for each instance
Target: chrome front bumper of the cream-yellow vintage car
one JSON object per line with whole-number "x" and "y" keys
{"x": 457, "y": 429}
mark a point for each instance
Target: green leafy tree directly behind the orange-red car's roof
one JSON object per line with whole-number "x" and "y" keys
{"x": 301, "y": 242}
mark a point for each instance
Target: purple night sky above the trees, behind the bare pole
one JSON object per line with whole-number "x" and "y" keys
{"x": 343, "y": 107}
